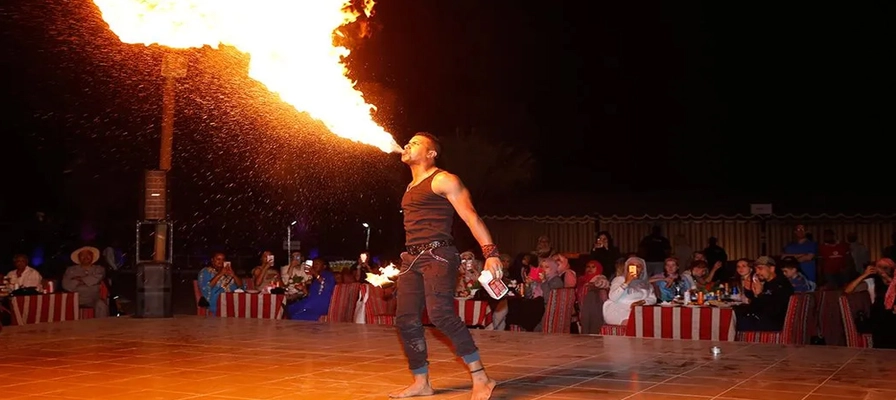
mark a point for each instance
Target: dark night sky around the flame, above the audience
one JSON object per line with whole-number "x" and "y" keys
{"x": 609, "y": 97}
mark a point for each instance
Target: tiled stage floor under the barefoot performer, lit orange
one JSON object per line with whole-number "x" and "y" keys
{"x": 209, "y": 358}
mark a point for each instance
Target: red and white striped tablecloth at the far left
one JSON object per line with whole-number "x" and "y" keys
{"x": 50, "y": 307}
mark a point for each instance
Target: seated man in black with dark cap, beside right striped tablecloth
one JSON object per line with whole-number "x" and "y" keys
{"x": 772, "y": 291}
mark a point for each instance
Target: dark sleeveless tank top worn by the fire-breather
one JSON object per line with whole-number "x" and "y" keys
{"x": 428, "y": 217}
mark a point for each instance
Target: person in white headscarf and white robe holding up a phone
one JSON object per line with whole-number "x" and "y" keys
{"x": 630, "y": 288}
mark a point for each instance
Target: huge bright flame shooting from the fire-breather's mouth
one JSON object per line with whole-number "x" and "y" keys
{"x": 290, "y": 43}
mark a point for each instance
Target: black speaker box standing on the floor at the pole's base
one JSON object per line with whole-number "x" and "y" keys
{"x": 154, "y": 290}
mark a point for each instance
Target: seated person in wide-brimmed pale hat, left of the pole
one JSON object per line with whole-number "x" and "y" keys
{"x": 85, "y": 278}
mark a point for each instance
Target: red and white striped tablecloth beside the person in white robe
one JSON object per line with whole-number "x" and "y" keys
{"x": 685, "y": 323}
